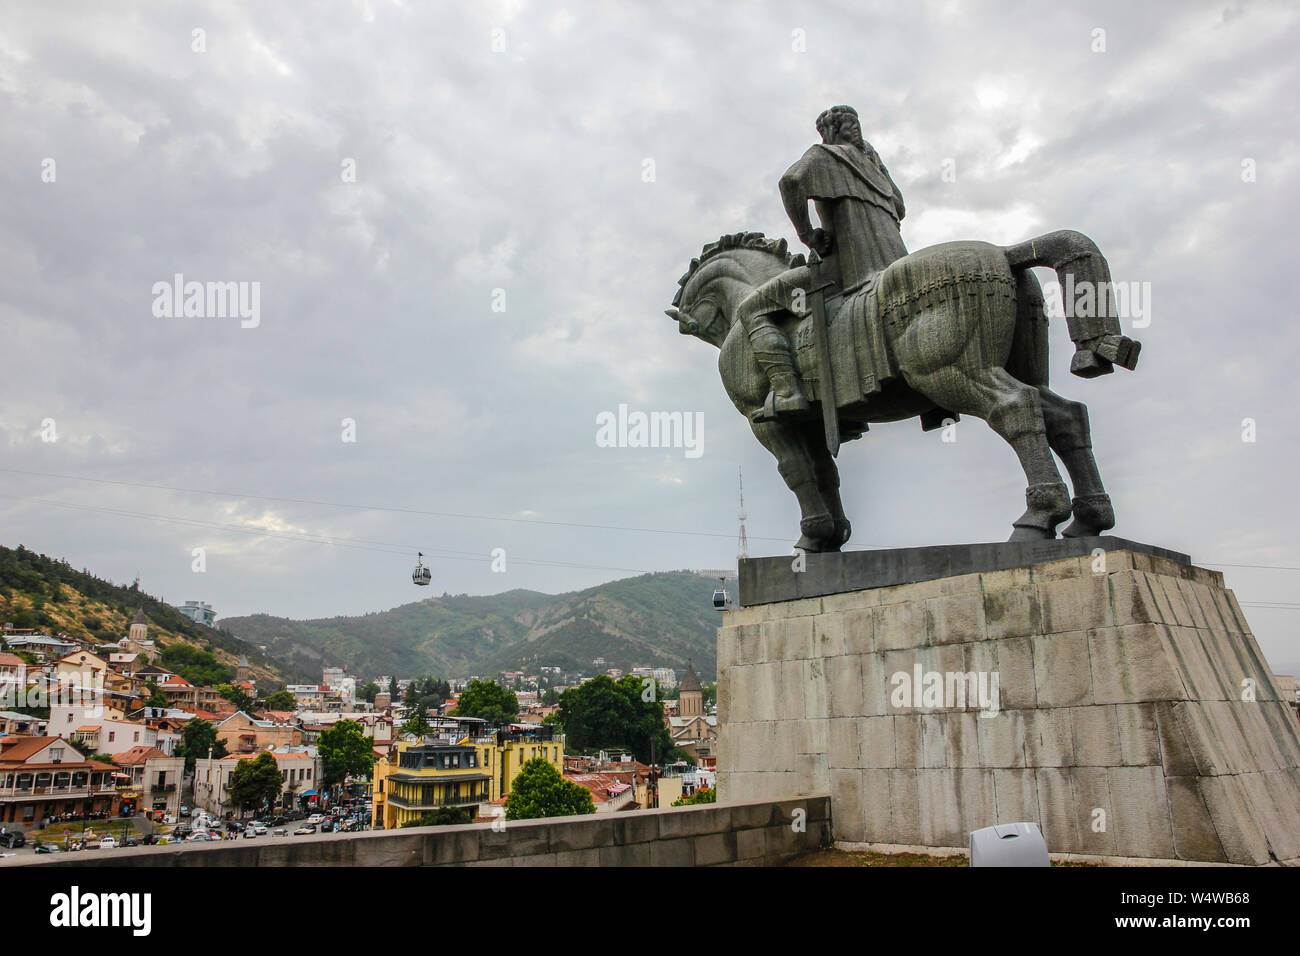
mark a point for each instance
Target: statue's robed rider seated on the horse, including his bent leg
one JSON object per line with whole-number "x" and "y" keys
{"x": 860, "y": 209}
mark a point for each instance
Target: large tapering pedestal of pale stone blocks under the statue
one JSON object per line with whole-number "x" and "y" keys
{"x": 1136, "y": 716}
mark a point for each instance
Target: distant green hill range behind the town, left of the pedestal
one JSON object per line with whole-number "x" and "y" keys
{"x": 658, "y": 620}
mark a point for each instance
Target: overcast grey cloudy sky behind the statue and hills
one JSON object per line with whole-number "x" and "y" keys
{"x": 505, "y": 146}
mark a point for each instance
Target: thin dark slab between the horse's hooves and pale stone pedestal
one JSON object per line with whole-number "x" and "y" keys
{"x": 768, "y": 581}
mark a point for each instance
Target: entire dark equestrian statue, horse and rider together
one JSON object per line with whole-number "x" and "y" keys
{"x": 816, "y": 349}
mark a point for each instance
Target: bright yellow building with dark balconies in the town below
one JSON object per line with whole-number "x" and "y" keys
{"x": 421, "y": 777}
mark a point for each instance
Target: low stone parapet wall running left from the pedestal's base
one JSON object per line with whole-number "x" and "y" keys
{"x": 755, "y": 834}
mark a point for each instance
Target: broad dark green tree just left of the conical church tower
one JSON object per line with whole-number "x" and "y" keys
{"x": 616, "y": 715}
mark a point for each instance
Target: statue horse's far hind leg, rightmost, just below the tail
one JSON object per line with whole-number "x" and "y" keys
{"x": 1067, "y": 421}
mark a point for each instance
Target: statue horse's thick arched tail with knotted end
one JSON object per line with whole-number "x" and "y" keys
{"x": 1091, "y": 317}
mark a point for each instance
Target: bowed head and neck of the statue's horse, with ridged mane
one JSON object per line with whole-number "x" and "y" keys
{"x": 721, "y": 278}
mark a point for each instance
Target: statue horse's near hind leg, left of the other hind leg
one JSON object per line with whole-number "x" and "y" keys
{"x": 1015, "y": 412}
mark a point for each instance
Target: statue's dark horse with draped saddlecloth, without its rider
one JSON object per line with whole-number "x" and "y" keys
{"x": 954, "y": 330}
